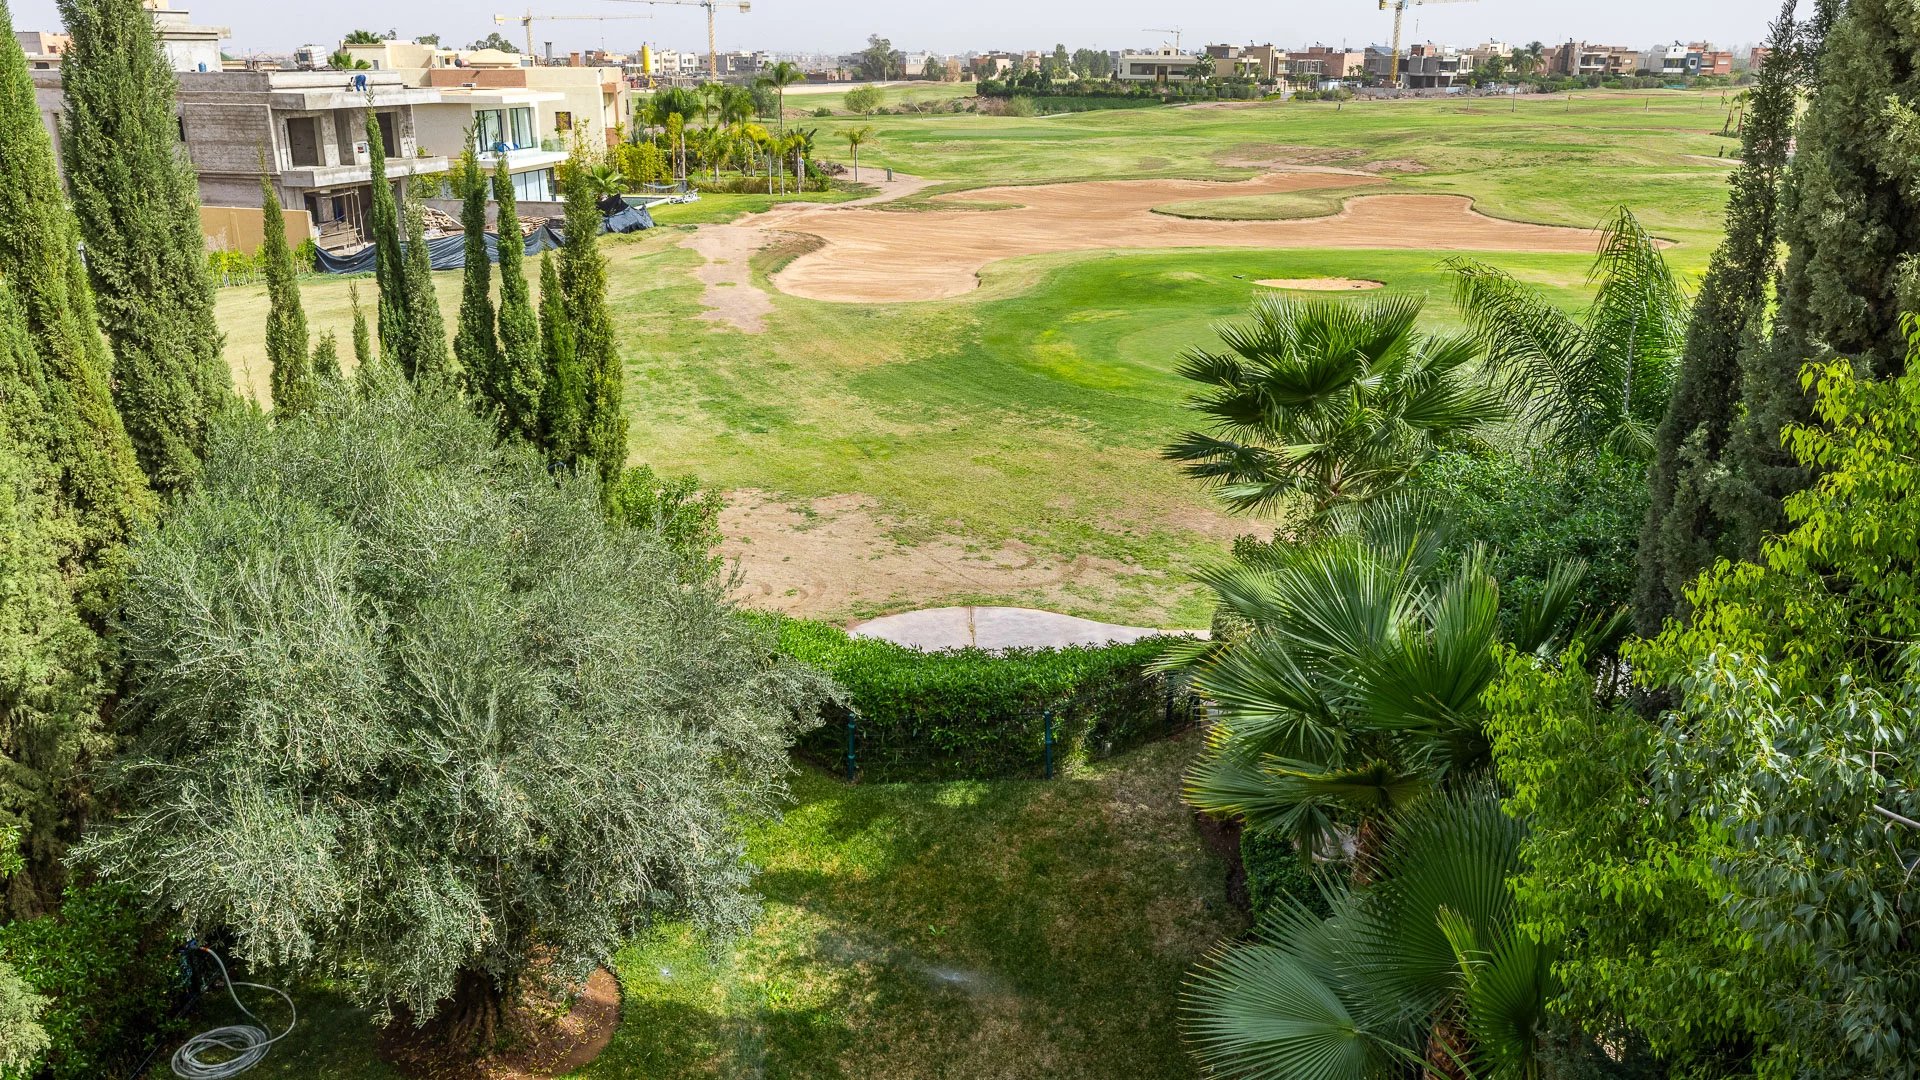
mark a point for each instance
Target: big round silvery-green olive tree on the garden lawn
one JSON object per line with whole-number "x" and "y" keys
{"x": 406, "y": 708}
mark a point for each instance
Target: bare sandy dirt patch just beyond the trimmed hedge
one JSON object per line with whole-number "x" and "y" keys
{"x": 842, "y": 554}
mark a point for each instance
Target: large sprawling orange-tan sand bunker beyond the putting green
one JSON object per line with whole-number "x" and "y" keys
{"x": 876, "y": 257}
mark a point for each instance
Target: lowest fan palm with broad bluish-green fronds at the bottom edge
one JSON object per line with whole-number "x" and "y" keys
{"x": 1420, "y": 971}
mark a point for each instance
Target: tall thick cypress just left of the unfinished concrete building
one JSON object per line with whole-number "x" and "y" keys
{"x": 137, "y": 201}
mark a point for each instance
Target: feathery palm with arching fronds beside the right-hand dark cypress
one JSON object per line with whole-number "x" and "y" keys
{"x": 1591, "y": 383}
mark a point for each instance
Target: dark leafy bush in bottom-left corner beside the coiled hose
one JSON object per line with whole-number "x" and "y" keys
{"x": 107, "y": 975}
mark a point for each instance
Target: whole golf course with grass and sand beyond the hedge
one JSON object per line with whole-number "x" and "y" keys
{"x": 953, "y": 387}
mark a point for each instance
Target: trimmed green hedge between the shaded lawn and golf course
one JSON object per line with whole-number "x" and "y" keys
{"x": 982, "y": 716}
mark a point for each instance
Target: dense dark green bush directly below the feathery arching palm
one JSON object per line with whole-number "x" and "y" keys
{"x": 1533, "y": 510}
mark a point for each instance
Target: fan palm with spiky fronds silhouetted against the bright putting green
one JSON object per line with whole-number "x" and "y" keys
{"x": 1328, "y": 401}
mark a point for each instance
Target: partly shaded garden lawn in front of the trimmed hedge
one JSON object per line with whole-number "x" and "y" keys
{"x": 917, "y": 933}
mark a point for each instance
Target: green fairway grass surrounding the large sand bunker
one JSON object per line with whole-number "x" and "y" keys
{"x": 1020, "y": 424}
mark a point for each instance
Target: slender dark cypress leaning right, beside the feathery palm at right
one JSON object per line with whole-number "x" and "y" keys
{"x": 1685, "y": 531}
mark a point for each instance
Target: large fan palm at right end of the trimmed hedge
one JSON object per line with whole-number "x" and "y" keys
{"x": 1358, "y": 689}
